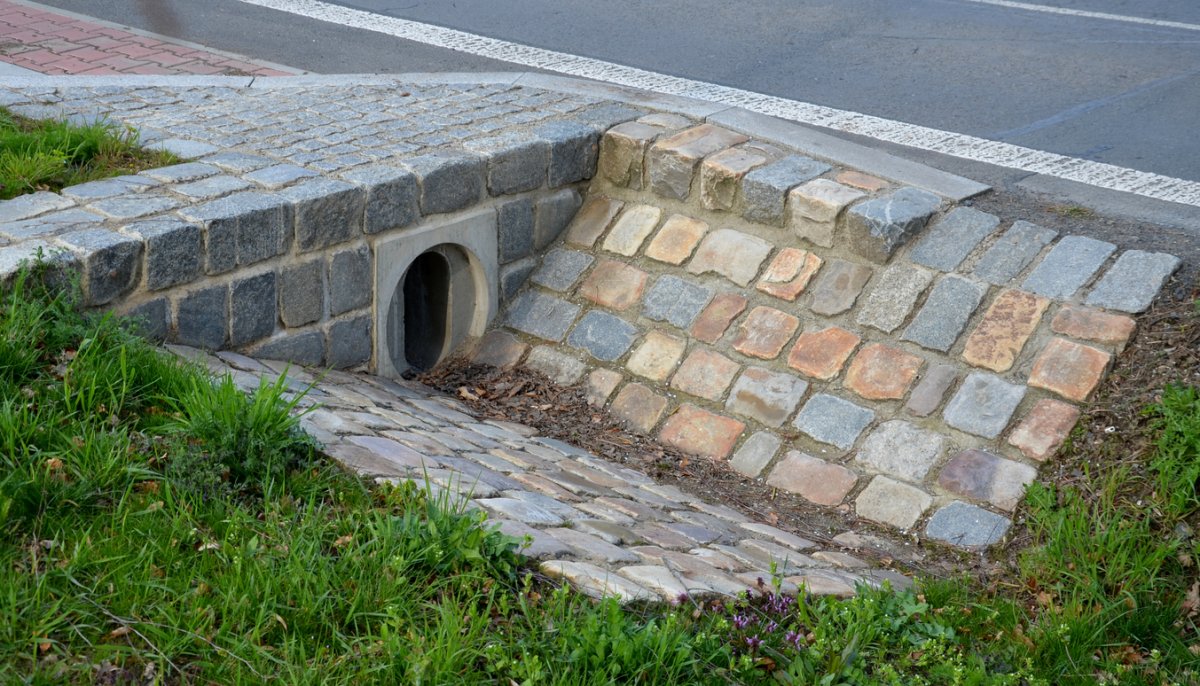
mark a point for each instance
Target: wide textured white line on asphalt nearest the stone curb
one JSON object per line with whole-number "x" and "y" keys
{"x": 949, "y": 143}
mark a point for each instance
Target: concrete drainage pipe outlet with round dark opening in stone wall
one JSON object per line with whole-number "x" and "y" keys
{"x": 436, "y": 287}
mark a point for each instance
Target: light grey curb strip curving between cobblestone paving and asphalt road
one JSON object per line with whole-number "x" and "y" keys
{"x": 764, "y": 128}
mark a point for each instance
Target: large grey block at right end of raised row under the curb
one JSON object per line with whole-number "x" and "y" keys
{"x": 879, "y": 227}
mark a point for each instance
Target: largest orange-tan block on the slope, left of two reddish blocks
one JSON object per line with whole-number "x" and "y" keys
{"x": 1004, "y": 330}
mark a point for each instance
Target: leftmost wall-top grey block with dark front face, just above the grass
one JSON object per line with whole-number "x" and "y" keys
{"x": 111, "y": 262}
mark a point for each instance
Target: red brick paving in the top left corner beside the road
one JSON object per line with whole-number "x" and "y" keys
{"x": 57, "y": 44}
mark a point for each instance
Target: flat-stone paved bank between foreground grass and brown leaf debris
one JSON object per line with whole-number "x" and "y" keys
{"x": 607, "y": 529}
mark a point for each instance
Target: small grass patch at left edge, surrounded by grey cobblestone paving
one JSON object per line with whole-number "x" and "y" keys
{"x": 51, "y": 155}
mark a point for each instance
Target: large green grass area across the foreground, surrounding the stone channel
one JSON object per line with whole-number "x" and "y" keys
{"x": 158, "y": 527}
